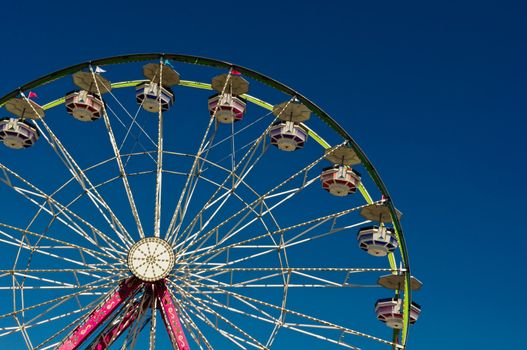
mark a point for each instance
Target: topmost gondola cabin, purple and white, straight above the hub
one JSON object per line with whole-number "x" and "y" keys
{"x": 150, "y": 94}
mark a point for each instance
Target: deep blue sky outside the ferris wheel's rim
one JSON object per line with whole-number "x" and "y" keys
{"x": 434, "y": 92}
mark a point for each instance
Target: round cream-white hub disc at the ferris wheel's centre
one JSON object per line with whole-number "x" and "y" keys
{"x": 151, "y": 259}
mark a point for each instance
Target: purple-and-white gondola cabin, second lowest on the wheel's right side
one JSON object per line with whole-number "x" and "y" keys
{"x": 377, "y": 241}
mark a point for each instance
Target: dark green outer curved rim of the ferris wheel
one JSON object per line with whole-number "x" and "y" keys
{"x": 196, "y": 60}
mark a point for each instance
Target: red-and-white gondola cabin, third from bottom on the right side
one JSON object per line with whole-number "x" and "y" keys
{"x": 340, "y": 180}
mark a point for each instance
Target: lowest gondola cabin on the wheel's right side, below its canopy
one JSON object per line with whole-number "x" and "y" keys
{"x": 390, "y": 311}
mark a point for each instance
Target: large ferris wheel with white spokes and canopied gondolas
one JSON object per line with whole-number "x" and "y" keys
{"x": 159, "y": 200}
